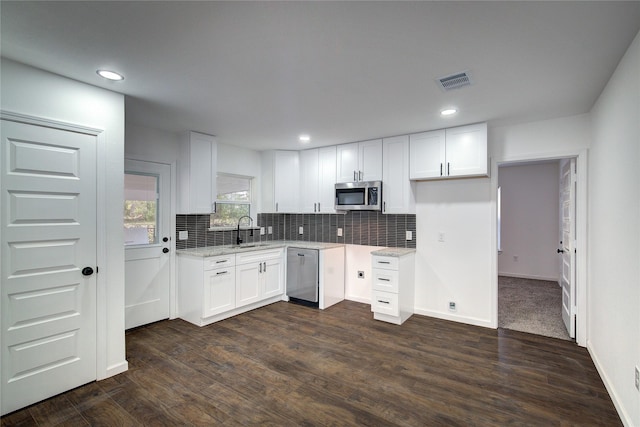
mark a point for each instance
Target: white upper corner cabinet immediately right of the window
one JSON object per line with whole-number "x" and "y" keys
{"x": 280, "y": 181}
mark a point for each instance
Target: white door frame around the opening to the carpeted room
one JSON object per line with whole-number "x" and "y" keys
{"x": 581, "y": 219}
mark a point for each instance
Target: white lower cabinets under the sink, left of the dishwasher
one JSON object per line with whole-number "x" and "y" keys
{"x": 215, "y": 288}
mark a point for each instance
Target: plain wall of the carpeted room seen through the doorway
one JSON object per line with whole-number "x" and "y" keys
{"x": 530, "y": 221}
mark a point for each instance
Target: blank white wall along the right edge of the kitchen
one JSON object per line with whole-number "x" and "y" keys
{"x": 614, "y": 235}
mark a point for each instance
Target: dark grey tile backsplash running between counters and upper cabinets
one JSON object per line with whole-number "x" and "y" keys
{"x": 369, "y": 228}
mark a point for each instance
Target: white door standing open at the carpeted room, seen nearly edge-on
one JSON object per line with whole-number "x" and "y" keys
{"x": 567, "y": 244}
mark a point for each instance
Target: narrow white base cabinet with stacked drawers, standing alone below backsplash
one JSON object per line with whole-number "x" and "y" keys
{"x": 393, "y": 287}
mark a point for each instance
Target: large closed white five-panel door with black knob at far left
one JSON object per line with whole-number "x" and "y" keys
{"x": 48, "y": 295}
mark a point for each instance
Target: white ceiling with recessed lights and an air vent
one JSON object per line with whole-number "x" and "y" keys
{"x": 257, "y": 74}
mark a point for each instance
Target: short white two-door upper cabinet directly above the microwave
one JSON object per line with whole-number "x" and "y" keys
{"x": 359, "y": 161}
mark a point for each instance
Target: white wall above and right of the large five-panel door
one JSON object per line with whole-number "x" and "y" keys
{"x": 38, "y": 93}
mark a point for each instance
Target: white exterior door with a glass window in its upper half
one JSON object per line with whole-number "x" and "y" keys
{"x": 147, "y": 242}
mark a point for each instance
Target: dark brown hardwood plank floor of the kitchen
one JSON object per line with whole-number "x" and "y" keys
{"x": 289, "y": 365}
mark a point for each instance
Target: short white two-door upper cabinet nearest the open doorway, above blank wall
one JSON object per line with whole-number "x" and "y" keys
{"x": 454, "y": 152}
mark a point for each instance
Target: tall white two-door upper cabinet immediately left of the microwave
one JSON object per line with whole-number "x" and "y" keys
{"x": 317, "y": 180}
